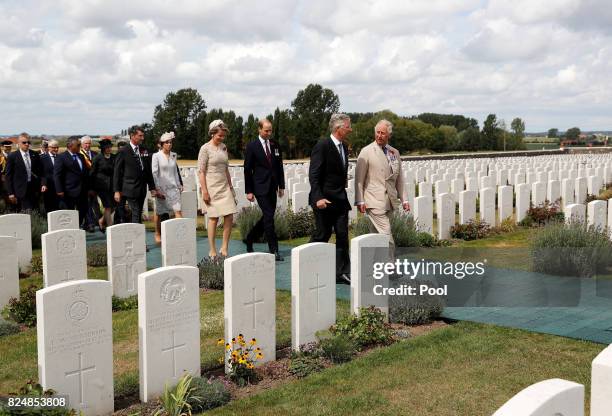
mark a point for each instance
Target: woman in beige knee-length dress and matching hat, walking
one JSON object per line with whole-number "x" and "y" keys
{"x": 217, "y": 190}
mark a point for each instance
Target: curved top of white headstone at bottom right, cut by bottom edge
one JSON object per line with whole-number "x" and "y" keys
{"x": 554, "y": 397}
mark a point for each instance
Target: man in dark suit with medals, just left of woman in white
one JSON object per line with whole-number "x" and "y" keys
{"x": 132, "y": 174}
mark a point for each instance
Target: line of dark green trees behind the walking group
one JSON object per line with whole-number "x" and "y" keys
{"x": 298, "y": 128}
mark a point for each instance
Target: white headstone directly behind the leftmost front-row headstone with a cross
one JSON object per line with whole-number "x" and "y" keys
{"x": 64, "y": 256}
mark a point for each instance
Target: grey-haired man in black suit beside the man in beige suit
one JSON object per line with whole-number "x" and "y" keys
{"x": 327, "y": 175}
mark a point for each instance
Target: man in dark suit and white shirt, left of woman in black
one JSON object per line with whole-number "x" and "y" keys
{"x": 72, "y": 179}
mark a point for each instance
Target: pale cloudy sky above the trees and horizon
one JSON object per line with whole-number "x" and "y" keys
{"x": 97, "y": 66}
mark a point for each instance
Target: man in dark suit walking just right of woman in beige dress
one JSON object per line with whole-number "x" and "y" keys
{"x": 264, "y": 178}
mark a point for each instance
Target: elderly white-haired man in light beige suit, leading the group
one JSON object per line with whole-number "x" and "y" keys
{"x": 379, "y": 183}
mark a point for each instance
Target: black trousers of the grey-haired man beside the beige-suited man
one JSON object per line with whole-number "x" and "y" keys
{"x": 333, "y": 219}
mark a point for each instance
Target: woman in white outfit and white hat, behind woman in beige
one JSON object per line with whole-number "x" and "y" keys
{"x": 168, "y": 182}
